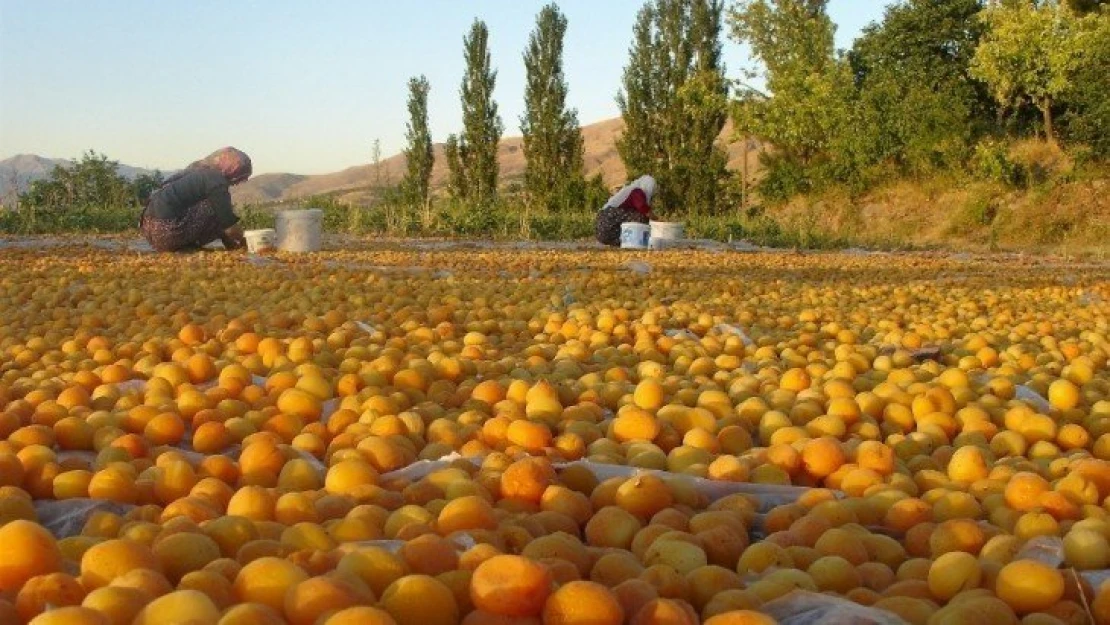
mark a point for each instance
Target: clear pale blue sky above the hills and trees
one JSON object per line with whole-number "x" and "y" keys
{"x": 304, "y": 87}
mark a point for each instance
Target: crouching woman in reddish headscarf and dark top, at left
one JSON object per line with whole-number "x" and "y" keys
{"x": 193, "y": 208}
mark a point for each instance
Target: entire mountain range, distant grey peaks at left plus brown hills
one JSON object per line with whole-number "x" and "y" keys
{"x": 357, "y": 185}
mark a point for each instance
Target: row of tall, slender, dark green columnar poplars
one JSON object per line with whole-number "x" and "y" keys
{"x": 674, "y": 100}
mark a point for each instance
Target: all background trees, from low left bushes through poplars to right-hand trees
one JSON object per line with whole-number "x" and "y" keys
{"x": 936, "y": 86}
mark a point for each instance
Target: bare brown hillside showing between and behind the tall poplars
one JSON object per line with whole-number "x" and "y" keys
{"x": 354, "y": 185}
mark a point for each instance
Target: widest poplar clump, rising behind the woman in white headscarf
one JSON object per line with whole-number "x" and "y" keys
{"x": 674, "y": 102}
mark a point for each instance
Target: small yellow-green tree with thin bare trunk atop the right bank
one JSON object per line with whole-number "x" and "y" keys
{"x": 1030, "y": 55}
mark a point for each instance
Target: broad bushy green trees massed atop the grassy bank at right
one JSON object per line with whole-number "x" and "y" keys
{"x": 929, "y": 89}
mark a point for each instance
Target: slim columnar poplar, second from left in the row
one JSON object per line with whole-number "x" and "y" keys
{"x": 473, "y": 155}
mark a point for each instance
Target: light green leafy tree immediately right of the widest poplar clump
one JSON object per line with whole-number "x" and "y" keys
{"x": 812, "y": 100}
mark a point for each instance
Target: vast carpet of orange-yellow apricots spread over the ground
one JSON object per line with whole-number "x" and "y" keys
{"x": 460, "y": 435}
